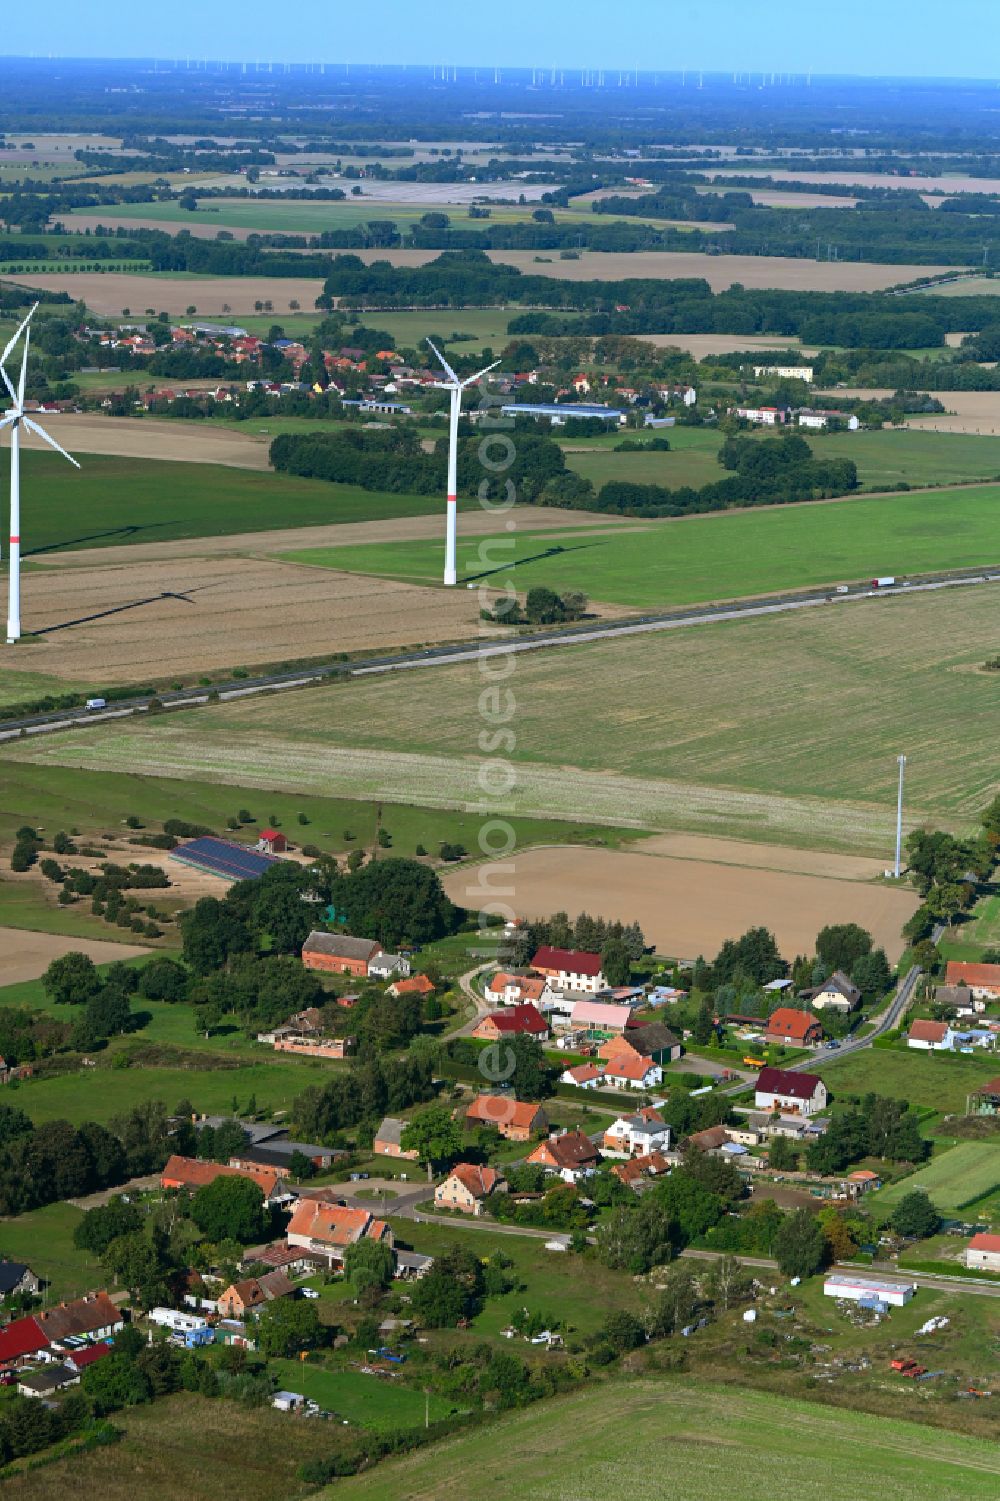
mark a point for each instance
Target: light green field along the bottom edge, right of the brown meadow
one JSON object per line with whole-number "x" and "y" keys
{"x": 619, "y": 1443}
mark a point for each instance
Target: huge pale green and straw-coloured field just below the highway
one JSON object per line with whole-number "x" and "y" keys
{"x": 667, "y": 751}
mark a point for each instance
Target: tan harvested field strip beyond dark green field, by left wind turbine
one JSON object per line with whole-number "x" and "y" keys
{"x": 146, "y": 439}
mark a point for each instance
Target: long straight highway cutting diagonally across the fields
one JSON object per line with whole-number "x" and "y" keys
{"x": 493, "y": 646}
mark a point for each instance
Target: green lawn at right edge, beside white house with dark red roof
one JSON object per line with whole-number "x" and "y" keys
{"x": 939, "y": 1081}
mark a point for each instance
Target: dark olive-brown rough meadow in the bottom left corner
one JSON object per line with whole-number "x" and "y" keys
{"x": 185, "y": 1448}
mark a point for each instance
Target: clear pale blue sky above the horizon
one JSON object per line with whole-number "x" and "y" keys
{"x": 900, "y": 38}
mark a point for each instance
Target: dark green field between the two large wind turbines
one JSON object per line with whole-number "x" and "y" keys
{"x": 116, "y": 501}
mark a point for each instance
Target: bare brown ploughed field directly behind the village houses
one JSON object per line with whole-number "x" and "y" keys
{"x": 690, "y": 907}
